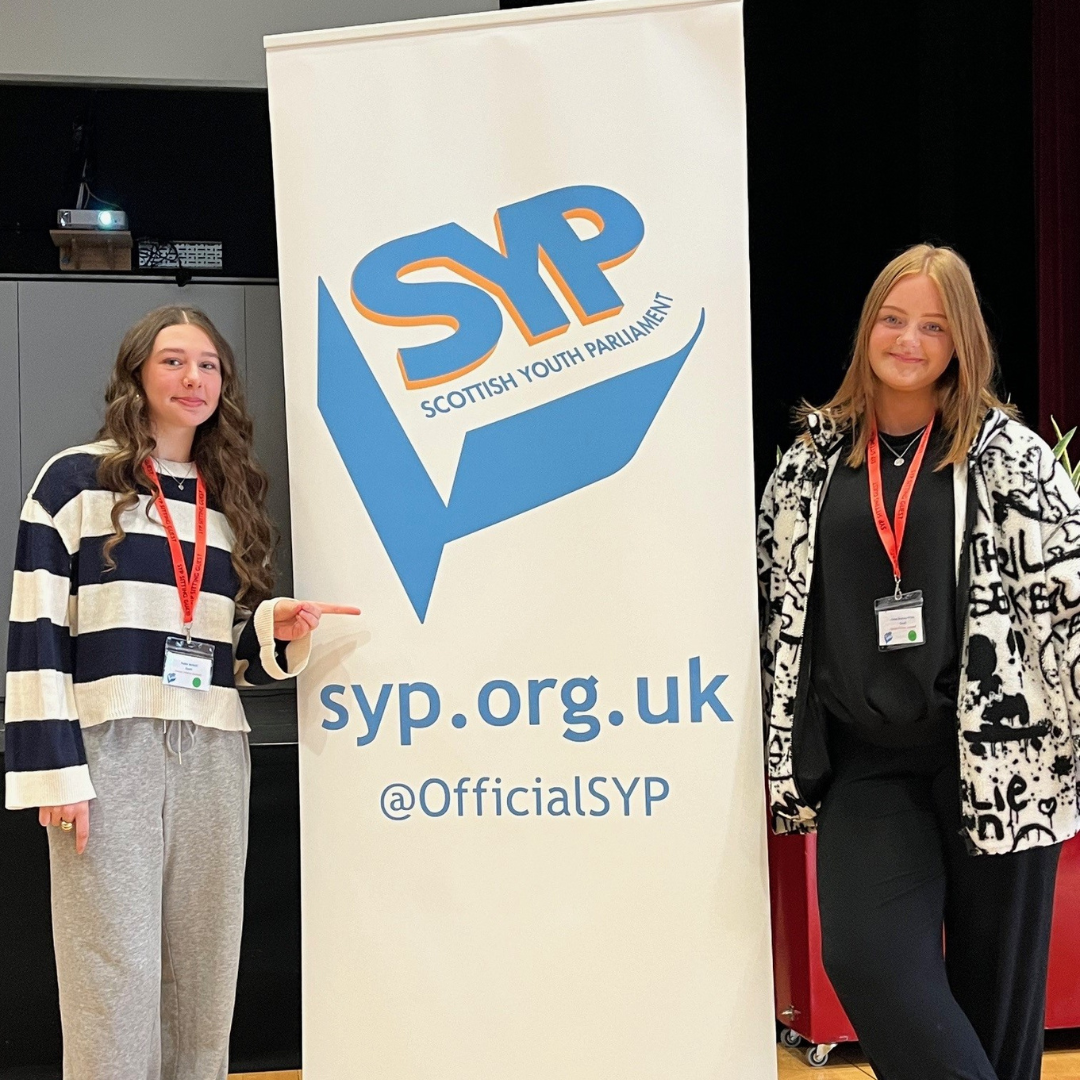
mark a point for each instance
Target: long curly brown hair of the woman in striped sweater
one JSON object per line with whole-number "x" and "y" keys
{"x": 222, "y": 452}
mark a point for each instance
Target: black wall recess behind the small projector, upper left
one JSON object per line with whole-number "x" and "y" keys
{"x": 185, "y": 165}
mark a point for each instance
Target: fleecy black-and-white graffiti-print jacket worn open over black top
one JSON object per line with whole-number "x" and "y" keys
{"x": 1018, "y": 555}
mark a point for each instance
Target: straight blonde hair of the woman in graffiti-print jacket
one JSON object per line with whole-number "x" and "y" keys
{"x": 966, "y": 389}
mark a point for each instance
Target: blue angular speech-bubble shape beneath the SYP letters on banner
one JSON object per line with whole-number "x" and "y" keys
{"x": 506, "y": 468}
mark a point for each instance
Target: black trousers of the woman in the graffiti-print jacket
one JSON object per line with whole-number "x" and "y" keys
{"x": 893, "y": 873}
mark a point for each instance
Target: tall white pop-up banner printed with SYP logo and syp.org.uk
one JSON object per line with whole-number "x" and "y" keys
{"x": 515, "y": 289}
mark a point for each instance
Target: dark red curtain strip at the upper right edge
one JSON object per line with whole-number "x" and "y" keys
{"x": 1058, "y": 205}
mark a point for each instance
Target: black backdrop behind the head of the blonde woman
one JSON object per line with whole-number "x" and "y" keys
{"x": 873, "y": 127}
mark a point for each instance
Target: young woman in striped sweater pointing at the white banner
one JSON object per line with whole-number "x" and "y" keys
{"x": 142, "y": 600}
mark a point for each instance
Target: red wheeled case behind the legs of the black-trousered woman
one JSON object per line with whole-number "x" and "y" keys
{"x": 807, "y": 1005}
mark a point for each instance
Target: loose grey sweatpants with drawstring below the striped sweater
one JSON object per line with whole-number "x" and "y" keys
{"x": 147, "y": 921}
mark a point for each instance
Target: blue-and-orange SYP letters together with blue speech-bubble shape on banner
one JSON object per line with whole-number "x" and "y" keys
{"x": 522, "y": 462}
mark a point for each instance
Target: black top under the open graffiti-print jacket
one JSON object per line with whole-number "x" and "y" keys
{"x": 908, "y": 697}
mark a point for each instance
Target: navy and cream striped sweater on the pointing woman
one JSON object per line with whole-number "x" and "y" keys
{"x": 88, "y": 645}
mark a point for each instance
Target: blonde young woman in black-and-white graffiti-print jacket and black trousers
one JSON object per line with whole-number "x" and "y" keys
{"x": 920, "y": 558}
